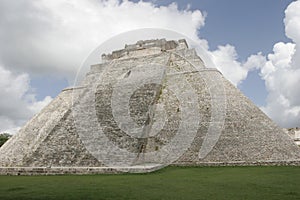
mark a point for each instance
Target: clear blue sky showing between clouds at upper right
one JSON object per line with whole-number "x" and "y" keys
{"x": 250, "y": 26}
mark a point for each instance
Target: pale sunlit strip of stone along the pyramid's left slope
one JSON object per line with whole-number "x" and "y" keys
{"x": 35, "y": 131}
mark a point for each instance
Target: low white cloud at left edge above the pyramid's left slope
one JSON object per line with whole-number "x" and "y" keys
{"x": 17, "y": 102}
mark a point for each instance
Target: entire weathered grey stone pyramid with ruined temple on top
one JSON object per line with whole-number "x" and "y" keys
{"x": 149, "y": 105}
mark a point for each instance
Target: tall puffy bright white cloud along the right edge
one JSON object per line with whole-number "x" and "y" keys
{"x": 282, "y": 73}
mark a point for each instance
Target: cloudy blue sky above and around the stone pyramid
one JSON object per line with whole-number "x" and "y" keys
{"x": 255, "y": 44}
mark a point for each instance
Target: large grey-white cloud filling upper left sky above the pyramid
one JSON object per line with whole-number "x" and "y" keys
{"x": 55, "y": 36}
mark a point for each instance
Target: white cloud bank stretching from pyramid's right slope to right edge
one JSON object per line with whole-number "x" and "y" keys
{"x": 280, "y": 70}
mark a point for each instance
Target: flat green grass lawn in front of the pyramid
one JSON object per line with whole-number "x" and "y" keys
{"x": 169, "y": 183}
